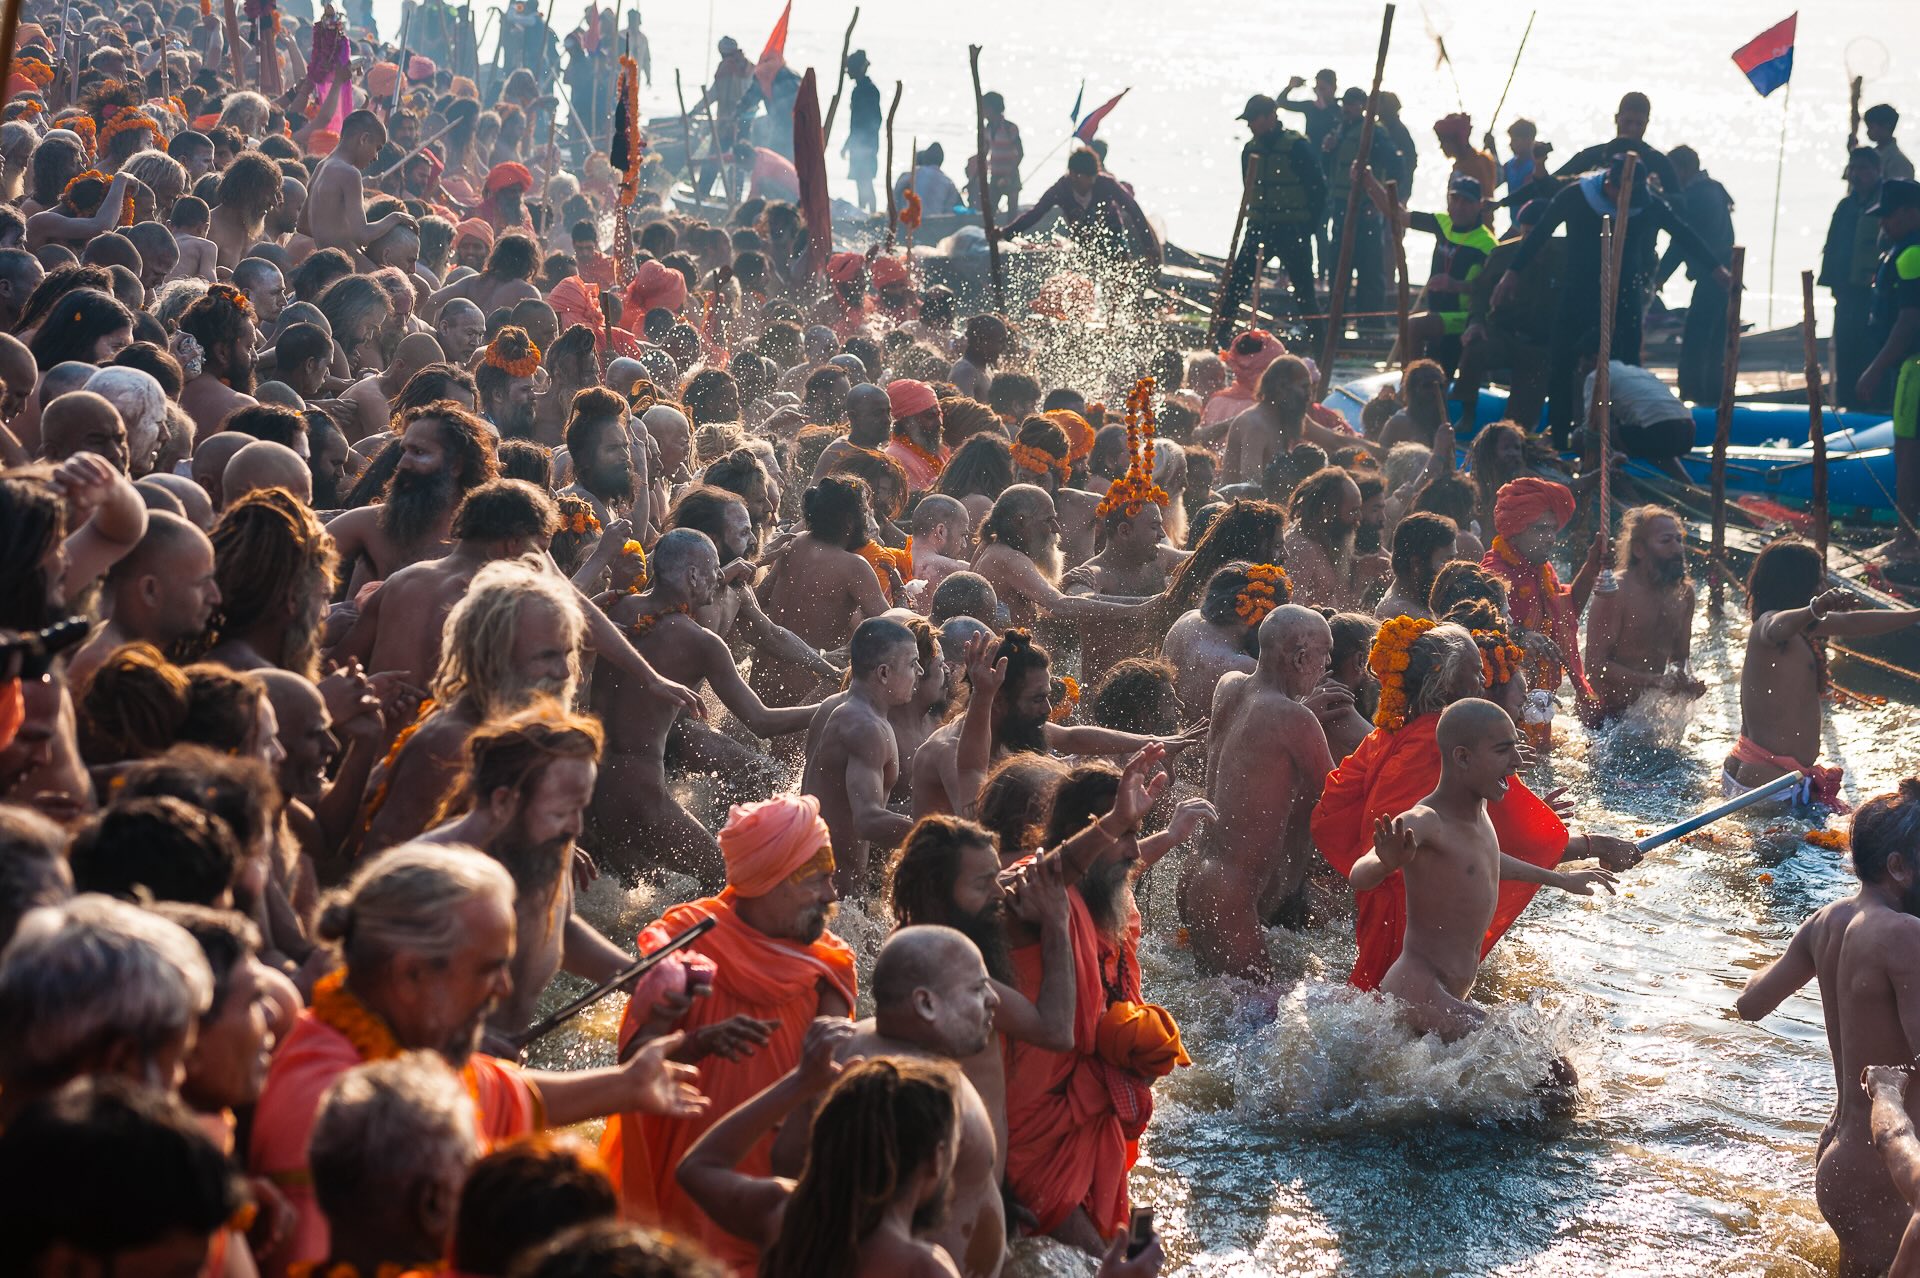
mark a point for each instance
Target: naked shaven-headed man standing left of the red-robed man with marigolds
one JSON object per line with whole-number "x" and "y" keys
{"x": 1266, "y": 767}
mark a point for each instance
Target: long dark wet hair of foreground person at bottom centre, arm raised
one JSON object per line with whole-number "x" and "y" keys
{"x": 876, "y": 1127}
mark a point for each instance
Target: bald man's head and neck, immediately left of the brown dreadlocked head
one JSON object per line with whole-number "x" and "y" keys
{"x": 160, "y": 594}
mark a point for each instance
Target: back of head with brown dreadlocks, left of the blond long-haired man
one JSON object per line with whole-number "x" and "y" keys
{"x": 276, "y": 569}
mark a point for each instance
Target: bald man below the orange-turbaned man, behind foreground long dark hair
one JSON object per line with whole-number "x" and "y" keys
{"x": 934, "y": 1001}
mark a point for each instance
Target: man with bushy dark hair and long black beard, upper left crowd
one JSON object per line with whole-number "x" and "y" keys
{"x": 446, "y": 454}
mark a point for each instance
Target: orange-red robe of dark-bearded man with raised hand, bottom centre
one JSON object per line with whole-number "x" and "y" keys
{"x": 1072, "y": 1120}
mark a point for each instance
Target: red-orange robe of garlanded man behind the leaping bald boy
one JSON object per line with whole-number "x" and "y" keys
{"x": 1385, "y": 776}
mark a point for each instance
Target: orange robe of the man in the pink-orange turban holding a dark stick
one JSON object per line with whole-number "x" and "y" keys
{"x": 757, "y": 978}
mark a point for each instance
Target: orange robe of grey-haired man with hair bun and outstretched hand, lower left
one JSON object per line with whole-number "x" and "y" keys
{"x": 304, "y": 1068}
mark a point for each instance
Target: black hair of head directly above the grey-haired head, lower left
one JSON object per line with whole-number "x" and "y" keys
{"x": 162, "y": 845}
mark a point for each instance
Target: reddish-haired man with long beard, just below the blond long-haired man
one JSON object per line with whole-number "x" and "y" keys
{"x": 529, "y": 782}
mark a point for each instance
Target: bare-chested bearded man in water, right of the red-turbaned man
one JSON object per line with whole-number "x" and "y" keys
{"x": 1639, "y": 638}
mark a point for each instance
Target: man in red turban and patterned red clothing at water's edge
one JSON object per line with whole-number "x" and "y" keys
{"x": 1527, "y": 517}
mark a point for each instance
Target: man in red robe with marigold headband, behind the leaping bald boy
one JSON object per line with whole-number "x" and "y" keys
{"x": 1424, "y": 669}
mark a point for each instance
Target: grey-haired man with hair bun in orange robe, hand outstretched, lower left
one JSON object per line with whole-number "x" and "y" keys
{"x": 427, "y": 937}
